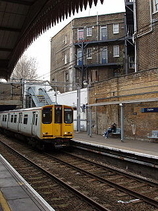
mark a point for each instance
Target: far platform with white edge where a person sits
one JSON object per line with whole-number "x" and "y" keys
{"x": 146, "y": 148}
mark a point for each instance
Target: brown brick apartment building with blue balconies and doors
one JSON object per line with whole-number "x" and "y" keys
{"x": 88, "y": 49}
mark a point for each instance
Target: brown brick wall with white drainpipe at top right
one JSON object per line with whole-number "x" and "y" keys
{"x": 147, "y": 35}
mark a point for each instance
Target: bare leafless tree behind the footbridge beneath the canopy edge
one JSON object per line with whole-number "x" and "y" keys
{"x": 26, "y": 68}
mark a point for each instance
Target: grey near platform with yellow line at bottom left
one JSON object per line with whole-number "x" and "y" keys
{"x": 16, "y": 194}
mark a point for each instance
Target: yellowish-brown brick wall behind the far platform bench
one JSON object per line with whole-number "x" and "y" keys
{"x": 138, "y": 86}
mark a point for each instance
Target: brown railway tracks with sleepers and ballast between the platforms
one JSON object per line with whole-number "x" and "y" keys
{"x": 94, "y": 186}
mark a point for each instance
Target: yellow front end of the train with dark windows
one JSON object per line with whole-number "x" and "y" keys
{"x": 57, "y": 125}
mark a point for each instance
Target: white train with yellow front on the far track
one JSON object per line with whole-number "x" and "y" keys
{"x": 50, "y": 125}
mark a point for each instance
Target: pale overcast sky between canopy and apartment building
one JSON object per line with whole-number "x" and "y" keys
{"x": 40, "y": 49}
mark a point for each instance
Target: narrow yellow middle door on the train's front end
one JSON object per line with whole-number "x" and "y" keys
{"x": 58, "y": 120}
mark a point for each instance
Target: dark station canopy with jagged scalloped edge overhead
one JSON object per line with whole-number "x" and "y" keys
{"x": 22, "y": 21}
